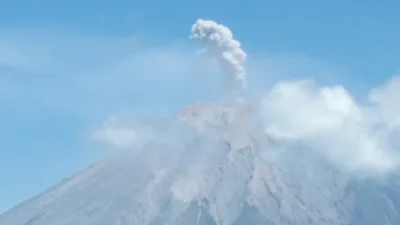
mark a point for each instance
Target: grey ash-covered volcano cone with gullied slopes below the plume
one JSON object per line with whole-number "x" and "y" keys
{"x": 212, "y": 166}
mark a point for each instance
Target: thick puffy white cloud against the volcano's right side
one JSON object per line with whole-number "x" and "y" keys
{"x": 354, "y": 136}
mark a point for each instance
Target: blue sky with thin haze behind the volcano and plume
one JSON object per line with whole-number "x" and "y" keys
{"x": 65, "y": 66}
